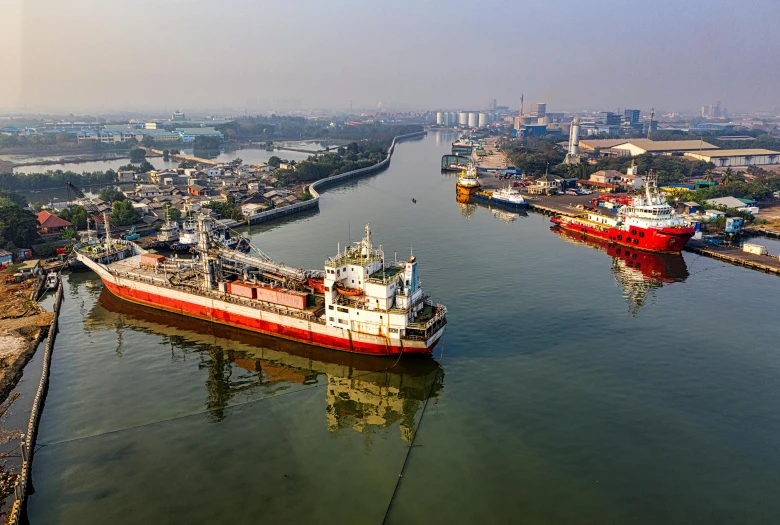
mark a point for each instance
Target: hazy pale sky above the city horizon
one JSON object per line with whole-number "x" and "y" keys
{"x": 163, "y": 54}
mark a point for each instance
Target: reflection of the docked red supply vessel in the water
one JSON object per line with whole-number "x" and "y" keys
{"x": 639, "y": 273}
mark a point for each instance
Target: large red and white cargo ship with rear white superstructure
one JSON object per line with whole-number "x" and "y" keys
{"x": 357, "y": 304}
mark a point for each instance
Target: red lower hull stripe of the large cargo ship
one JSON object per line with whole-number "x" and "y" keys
{"x": 256, "y": 325}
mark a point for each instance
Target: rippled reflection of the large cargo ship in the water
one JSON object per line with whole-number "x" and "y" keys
{"x": 364, "y": 393}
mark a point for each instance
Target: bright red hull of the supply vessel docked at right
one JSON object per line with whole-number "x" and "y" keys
{"x": 660, "y": 240}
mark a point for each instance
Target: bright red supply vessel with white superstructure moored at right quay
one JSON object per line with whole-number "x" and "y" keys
{"x": 648, "y": 223}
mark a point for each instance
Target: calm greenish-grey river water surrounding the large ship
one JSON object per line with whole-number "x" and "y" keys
{"x": 574, "y": 388}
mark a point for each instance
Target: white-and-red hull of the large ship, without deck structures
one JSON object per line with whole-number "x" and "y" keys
{"x": 276, "y": 324}
